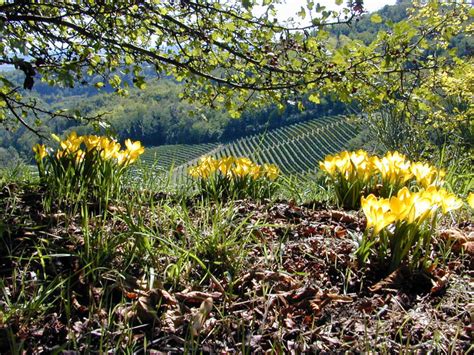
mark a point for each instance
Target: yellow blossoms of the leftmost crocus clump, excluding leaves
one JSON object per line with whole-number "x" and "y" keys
{"x": 78, "y": 146}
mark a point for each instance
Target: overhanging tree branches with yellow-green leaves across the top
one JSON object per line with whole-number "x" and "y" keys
{"x": 223, "y": 52}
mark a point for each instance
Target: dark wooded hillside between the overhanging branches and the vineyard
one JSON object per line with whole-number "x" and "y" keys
{"x": 156, "y": 116}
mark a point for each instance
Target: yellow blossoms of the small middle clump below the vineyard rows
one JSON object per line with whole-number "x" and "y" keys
{"x": 233, "y": 167}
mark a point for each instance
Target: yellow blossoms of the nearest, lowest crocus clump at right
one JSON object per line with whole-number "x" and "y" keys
{"x": 407, "y": 206}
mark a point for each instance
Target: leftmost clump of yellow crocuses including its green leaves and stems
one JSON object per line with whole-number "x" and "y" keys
{"x": 85, "y": 169}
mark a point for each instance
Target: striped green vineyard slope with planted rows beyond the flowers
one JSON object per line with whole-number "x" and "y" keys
{"x": 295, "y": 149}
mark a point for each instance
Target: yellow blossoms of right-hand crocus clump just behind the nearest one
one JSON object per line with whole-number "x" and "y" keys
{"x": 393, "y": 168}
